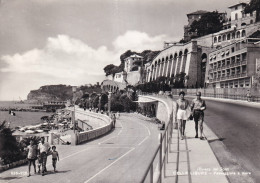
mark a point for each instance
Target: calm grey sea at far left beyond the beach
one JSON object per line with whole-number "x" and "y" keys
{"x": 22, "y": 118}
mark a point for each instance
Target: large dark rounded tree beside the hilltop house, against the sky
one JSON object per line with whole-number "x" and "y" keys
{"x": 209, "y": 23}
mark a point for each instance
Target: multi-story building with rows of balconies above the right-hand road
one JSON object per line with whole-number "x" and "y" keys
{"x": 233, "y": 65}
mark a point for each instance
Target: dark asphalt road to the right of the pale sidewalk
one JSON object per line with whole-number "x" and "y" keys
{"x": 237, "y": 126}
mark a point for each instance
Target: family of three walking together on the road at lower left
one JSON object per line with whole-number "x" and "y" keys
{"x": 40, "y": 153}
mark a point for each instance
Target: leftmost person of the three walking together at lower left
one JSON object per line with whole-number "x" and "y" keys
{"x": 31, "y": 156}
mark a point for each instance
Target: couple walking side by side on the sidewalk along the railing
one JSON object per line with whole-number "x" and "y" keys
{"x": 194, "y": 110}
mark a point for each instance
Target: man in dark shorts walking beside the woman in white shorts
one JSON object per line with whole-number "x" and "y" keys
{"x": 198, "y": 106}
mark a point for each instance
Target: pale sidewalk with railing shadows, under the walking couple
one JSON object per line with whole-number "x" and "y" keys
{"x": 191, "y": 160}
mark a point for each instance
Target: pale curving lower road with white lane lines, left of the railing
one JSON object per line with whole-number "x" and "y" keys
{"x": 121, "y": 156}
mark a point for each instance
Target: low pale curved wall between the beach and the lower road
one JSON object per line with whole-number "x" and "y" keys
{"x": 86, "y": 136}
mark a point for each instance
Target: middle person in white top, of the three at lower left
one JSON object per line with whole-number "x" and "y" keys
{"x": 44, "y": 149}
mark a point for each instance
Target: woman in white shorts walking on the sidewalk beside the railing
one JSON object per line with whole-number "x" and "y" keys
{"x": 182, "y": 113}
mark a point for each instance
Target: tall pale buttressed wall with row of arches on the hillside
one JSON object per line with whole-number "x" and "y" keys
{"x": 179, "y": 58}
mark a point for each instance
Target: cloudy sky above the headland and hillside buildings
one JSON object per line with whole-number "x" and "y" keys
{"x": 44, "y": 42}
